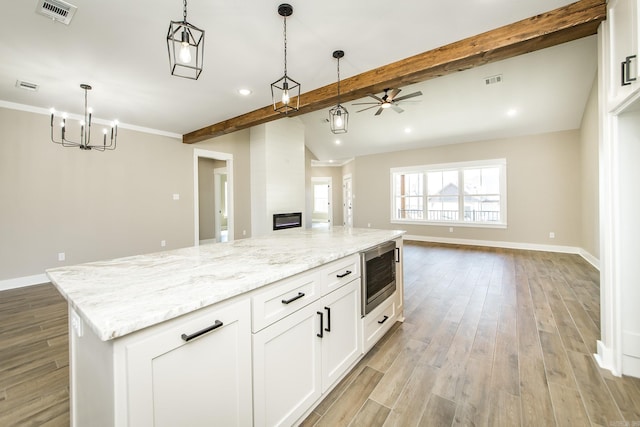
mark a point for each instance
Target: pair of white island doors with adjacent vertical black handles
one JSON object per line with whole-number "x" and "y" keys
{"x": 299, "y": 357}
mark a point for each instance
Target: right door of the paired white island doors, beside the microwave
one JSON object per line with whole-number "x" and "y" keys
{"x": 341, "y": 343}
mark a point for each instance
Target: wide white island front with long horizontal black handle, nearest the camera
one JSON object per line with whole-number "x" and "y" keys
{"x": 200, "y": 382}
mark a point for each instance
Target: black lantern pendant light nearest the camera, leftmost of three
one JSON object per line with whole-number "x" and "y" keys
{"x": 185, "y": 44}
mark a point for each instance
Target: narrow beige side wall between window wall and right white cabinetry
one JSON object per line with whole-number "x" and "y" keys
{"x": 590, "y": 175}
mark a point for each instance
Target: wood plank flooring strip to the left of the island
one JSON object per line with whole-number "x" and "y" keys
{"x": 34, "y": 357}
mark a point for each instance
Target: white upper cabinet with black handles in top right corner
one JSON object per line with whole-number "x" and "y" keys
{"x": 623, "y": 41}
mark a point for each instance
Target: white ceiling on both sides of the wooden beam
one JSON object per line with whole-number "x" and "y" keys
{"x": 119, "y": 47}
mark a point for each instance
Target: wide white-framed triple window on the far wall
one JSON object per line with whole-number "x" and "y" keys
{"x": 471, "y": 193}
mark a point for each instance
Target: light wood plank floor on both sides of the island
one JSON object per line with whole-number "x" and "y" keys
{"x": 492, "y": 337}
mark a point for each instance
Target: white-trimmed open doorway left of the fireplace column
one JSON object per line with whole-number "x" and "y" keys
{"x": 213, "y": 196}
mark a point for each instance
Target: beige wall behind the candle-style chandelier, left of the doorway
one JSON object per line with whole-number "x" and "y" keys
{"x": 87, "y": 204}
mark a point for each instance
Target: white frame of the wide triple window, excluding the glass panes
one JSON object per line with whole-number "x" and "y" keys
{"x": 460, "y": 167}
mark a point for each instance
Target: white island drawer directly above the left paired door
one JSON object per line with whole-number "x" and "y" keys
{"x": 287, "y": 297}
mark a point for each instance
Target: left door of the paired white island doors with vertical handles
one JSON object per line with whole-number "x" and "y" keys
{"x": 286, "y": 368}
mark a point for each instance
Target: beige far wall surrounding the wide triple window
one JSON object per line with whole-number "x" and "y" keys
{"x": 543, "y": 194}
